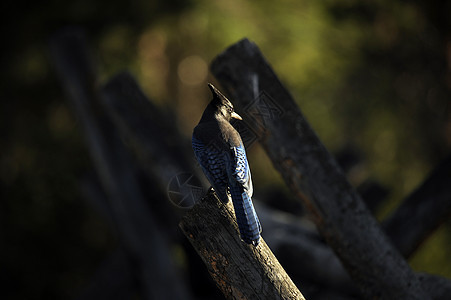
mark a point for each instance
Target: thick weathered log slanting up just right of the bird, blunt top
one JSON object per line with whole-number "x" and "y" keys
{"x": 313, "y": 175}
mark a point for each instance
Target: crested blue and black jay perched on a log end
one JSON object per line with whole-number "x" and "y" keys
{"x": 218, "y": 148}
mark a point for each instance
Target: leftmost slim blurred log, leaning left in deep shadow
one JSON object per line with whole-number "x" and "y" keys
{"x": 142, "y": 239}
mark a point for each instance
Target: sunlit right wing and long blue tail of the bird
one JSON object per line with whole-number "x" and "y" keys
{"x": 240, "y": 185}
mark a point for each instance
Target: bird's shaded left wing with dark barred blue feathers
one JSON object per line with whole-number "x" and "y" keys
{"x": 212, "y": 161}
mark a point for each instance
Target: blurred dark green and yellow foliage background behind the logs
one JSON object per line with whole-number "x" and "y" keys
{"x": 373, "y": 76}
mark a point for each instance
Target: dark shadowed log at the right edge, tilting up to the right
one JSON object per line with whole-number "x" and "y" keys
{"x": 422, "y": 212}
